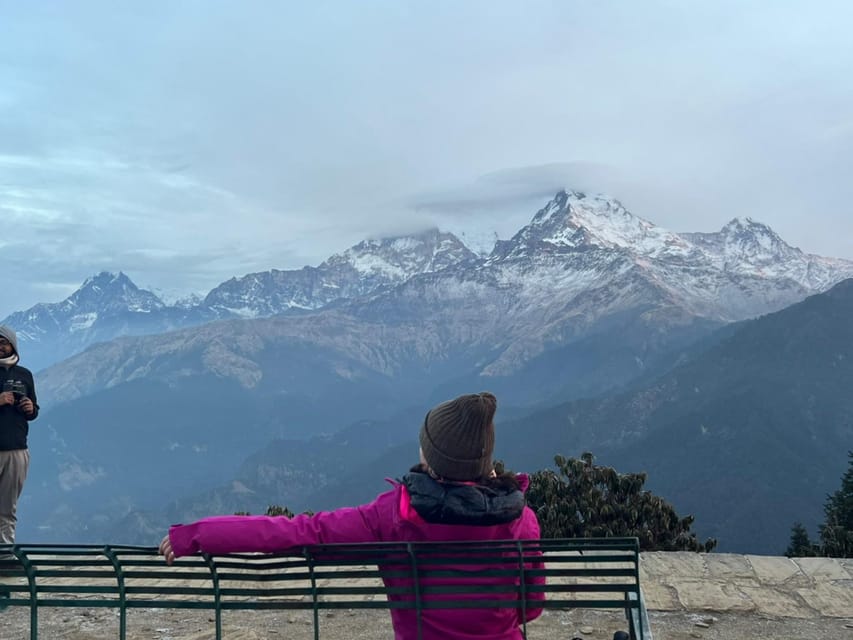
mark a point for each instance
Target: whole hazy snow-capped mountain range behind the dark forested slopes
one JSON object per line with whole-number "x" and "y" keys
{"x": 584, "y": 300}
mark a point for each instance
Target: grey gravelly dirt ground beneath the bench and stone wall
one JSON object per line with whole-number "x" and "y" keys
{"x": 166, "y": 624}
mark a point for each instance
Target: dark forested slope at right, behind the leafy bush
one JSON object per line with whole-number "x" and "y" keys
{"x": 748, "y": 434}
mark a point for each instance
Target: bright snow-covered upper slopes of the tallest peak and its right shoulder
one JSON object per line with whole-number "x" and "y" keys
{"x": 743, "y": 270}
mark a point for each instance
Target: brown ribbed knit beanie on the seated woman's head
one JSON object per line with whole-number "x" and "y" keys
{"x": 458, "y": 437}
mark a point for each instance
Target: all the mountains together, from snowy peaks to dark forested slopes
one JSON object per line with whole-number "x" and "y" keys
{"x": 683, "y": 355}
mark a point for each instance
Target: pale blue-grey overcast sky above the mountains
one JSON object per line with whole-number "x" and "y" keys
{"x": 186, "y": 142}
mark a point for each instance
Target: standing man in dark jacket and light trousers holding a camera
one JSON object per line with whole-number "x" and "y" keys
{"x": 17, "y": 407}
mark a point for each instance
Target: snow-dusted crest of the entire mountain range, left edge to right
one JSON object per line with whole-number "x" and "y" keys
{"x": 580, "y": 258}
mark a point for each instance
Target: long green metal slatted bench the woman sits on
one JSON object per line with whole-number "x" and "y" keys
{"x": 601, "y": 573}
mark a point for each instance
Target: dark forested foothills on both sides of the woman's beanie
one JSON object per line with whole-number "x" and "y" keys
{"x": 748, "y": 434}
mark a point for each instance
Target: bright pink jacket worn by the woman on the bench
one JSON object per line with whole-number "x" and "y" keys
{"x": 390, "y": 517}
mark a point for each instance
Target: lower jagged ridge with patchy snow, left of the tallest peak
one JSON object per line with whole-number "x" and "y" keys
{"x": 109, "y": 306}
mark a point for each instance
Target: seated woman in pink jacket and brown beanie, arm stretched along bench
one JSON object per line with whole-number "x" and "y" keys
{"x": 452, "y": 495}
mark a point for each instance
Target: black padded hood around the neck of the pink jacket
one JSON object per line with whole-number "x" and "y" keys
{"x": 457, "y": 503}
